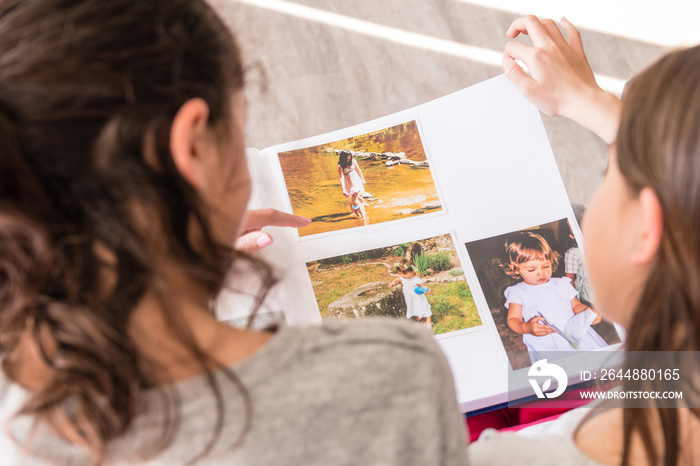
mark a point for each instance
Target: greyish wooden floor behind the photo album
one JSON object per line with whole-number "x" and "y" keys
{"x": 308, "y": 78}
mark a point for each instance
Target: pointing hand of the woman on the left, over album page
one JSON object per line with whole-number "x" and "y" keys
{"x": 252, "y": 239}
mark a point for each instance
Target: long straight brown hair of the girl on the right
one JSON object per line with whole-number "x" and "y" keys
{"x": 658, "y": 146}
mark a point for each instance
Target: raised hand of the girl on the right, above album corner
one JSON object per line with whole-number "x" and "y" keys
{"x": 561, "y": 82}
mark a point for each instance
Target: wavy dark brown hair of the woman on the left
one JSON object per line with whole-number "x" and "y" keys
{"x": 88, "y": 91}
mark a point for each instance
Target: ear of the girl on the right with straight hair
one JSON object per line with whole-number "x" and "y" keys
{"x": 651, "y": 227}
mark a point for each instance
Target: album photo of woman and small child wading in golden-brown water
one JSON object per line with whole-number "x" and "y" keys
{"x": 363, "y": 180}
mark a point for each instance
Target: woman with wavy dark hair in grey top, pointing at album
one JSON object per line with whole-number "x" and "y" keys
{"x": 123, "y": 185}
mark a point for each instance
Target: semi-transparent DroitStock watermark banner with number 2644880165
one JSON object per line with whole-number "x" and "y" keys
{"x": 569, "y": 379}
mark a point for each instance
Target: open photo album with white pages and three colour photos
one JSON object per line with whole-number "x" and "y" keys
{"x": 452, "y": 215}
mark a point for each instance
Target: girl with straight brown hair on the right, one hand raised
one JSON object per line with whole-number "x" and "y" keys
{"x": 642, "y": 248}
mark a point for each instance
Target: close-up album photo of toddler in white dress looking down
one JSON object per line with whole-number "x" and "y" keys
{"x": 536, "y": 287}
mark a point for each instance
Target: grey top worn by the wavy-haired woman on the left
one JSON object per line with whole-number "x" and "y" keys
{"x": 371, "y": 392}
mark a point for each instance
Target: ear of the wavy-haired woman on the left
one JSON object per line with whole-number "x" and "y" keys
{"x": 189, "y": 142}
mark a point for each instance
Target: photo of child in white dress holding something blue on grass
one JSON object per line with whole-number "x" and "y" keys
{"x": 421, "y": 280}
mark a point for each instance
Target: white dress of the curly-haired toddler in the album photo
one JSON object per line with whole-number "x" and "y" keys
{"x": 553, "y": 301}
